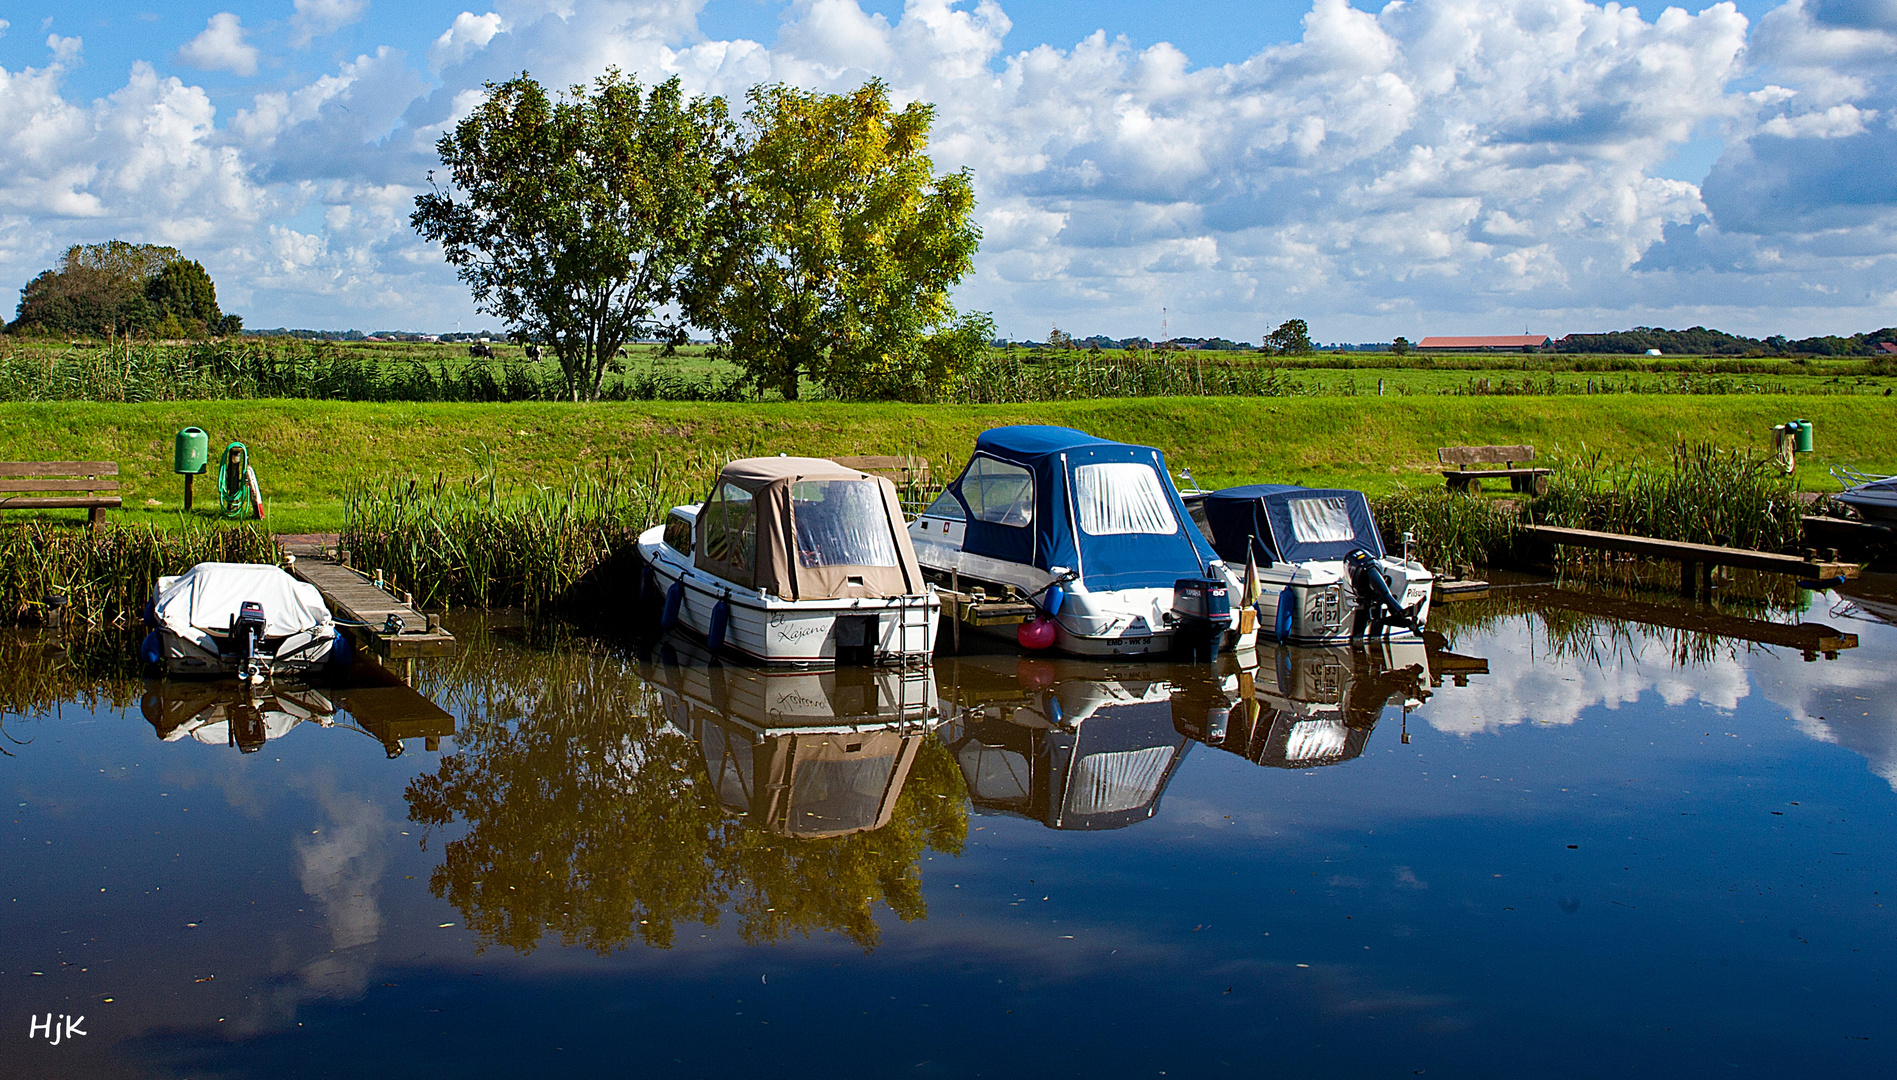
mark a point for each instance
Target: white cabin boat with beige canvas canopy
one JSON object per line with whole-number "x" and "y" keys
{"x": 796, "y": 561}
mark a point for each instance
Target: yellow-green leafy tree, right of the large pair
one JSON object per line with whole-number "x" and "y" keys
{"x": 839, "y": 250}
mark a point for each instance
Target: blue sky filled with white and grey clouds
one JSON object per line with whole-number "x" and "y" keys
{"x": 1437, "y": 166}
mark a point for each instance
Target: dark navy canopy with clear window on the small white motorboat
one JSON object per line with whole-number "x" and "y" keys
{"x": 1291, "y": 525}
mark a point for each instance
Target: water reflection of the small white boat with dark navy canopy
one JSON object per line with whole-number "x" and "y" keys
{"x": 1304, "y": 707}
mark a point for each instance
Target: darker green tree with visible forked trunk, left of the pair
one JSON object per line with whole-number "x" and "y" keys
{"x": 576, "y": 219}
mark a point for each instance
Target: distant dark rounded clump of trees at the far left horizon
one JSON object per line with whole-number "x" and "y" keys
{"x": 120, "y": 291}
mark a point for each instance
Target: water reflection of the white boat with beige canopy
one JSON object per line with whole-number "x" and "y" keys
{"x": 801, "y": 754}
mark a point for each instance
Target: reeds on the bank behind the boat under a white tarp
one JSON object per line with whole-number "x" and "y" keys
{"x": 64, "y": 574}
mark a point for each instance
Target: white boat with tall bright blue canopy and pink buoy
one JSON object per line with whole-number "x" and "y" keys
{"x": 1092, "y": 532}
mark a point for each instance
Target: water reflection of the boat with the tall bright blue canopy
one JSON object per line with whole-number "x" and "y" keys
{"x": 1075, "y": 745}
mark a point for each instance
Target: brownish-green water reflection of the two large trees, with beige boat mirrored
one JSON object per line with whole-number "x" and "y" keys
{"x": 606, "y": 802}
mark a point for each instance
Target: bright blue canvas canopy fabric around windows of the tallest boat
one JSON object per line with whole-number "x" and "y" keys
{"x": 1054, "y": 536}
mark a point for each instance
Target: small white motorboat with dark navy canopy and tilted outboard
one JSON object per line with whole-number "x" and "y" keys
{"x": 1323, "y": 574}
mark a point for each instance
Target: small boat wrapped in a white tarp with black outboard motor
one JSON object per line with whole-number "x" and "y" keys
{"x": 240, "y": 620}
